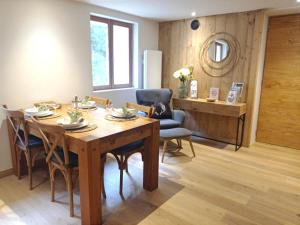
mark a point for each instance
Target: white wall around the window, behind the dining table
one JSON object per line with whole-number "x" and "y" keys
{"x": 45, "y": 55}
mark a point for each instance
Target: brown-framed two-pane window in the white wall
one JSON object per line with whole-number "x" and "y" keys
{"x": 111, "y": 44}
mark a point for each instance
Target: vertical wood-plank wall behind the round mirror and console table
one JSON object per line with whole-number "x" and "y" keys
{"x": 181, "y": 46}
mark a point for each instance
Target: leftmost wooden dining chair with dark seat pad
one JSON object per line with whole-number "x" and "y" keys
{"x": 30, "y": 145}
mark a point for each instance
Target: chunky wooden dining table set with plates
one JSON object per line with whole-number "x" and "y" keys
{"x": 91, "y": 144}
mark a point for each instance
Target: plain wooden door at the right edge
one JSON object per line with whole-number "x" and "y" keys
{"x": 279, "y": 116}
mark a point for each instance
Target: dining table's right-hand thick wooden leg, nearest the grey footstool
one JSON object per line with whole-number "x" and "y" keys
{"x": 151, "y": 159}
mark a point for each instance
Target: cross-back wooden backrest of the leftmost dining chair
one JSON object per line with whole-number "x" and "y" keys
{"x": 18, "y": 124}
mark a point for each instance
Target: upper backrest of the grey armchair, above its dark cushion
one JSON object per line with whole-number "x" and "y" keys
{"x": 151, "y": 96}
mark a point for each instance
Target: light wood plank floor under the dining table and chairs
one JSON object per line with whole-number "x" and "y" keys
{"x": 259, "y": 185}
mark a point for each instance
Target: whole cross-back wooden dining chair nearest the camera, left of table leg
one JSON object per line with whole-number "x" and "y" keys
{"x": 58, "y": 157}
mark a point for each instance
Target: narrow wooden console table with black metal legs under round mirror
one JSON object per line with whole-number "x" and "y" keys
{"x": 237, "y": 111}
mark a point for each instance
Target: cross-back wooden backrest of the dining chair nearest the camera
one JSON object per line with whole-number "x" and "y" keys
{"x": 53, "y": 137}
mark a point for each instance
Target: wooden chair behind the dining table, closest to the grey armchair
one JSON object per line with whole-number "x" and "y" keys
{"x": 123, "y": 153}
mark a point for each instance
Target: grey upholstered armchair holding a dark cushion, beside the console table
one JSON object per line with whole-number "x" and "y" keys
{"x": 152, "y": 96}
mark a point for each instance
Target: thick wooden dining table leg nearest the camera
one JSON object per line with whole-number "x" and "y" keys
{"x": 90, "y": 184}
